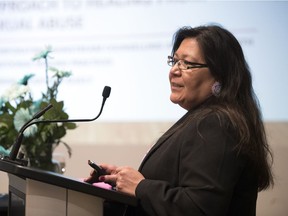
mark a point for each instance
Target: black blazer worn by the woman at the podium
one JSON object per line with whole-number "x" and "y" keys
{"x": 194, "y": 170}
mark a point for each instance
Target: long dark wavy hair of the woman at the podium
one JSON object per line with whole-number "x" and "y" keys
{"x": 224, "y": 56}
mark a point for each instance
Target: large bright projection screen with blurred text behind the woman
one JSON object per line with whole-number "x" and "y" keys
{"x": 124, "y": 44}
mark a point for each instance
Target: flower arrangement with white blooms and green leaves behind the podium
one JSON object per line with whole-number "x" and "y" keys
{"x": 17, "y": 106}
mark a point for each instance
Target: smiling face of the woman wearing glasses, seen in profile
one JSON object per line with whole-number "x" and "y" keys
{"x": 190, "y": 87}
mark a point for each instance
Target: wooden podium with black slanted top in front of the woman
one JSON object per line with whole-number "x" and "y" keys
{"x": 34, "y": 192}
